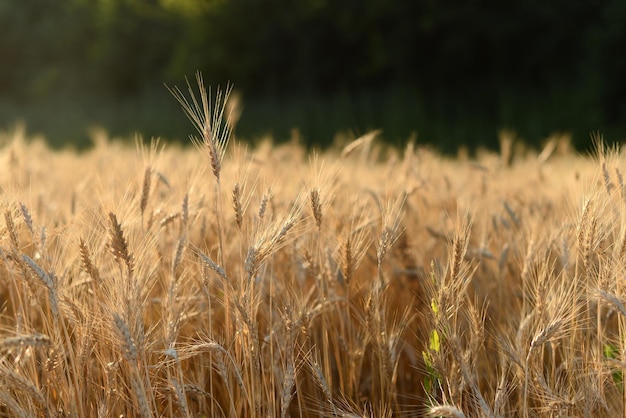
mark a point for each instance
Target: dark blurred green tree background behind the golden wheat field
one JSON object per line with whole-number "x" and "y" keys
{"x": 452, "y": 72}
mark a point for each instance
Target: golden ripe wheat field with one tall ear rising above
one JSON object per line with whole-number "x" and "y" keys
{"x": 226, "y": 280}
